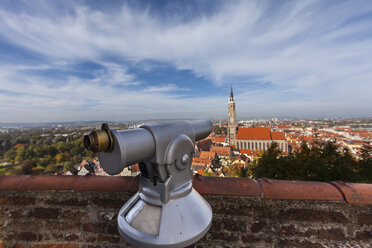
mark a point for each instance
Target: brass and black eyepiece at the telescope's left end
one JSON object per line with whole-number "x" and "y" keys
{"x": 99, "y": 140}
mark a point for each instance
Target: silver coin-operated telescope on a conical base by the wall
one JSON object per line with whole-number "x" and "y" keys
{"x": 167, "y": 211}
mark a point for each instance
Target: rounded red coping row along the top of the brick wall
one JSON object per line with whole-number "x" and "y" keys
{"x": 352, "y": 193}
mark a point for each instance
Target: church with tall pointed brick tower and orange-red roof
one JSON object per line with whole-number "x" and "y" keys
{"x": 252, "y": 138}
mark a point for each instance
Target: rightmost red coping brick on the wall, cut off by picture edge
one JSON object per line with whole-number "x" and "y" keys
{"x": 355, "y": 193}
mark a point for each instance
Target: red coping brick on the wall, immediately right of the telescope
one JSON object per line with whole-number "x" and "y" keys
{"x": 226, "y": 186}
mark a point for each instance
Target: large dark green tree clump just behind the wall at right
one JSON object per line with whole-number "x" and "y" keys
{"x": 320, "y": 162}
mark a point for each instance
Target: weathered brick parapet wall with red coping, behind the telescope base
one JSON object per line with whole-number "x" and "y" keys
{"x": 72, "y": 211}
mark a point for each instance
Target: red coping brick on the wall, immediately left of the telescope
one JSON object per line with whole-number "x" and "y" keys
{"x": 102, "y": 183}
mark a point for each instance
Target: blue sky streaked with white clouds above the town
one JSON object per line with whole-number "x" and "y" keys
{"x": 139, "y": 60}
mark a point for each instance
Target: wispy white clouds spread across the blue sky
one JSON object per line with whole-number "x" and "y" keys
{"x": 317, "y": 54}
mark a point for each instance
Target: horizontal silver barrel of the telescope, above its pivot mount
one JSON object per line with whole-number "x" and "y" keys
{"x": 135, "y": 145}
